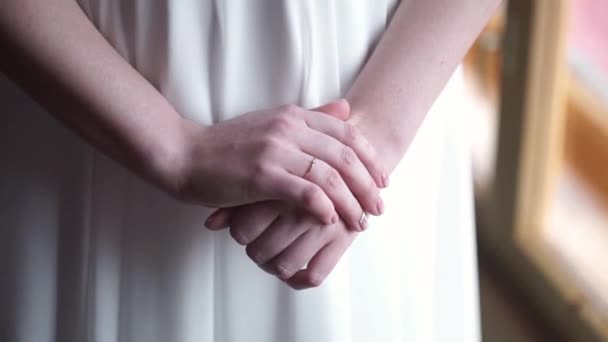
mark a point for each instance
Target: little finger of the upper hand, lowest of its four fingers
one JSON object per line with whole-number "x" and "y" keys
{"x": 302, "y": 193}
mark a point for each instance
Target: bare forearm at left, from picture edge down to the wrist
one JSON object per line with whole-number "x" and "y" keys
{"x": 57, "y": 56}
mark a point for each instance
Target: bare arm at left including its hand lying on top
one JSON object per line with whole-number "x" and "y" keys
{"x": 52, "y": 50}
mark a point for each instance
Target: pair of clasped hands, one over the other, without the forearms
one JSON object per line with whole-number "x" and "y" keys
{"x": 295, "y": 186}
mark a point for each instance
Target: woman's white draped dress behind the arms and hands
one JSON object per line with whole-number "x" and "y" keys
{"x": 88, "y": 252}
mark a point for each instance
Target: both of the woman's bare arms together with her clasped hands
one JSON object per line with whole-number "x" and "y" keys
{"x": 286, "y": 219}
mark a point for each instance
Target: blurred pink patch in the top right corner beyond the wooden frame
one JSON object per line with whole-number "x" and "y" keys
{"x": 589, "y": 32}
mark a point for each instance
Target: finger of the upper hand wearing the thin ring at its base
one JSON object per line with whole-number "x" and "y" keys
{"x": 333, "y": 186}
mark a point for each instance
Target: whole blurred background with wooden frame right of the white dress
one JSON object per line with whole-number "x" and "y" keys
{"x": 537, "y": 92}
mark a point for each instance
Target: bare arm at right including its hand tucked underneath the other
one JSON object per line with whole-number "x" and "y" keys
{"x": 421, "y": 48}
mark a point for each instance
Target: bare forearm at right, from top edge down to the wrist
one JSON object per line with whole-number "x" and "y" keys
{"x": 415, "y": 58}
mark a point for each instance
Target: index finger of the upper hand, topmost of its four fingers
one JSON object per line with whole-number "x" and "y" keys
{"x": 350, "y": 136}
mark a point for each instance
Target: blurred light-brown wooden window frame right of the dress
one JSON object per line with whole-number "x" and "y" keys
{"x": 530, "y": 153}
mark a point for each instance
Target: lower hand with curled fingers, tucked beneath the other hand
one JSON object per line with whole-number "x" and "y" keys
{"x": 282, "y": 240}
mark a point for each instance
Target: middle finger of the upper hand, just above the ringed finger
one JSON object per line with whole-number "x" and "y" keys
{"x": 348, "y": 164}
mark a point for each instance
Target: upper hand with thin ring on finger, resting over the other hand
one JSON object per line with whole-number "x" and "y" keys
{"x": 267, "y": 155}
